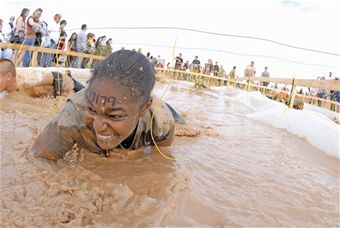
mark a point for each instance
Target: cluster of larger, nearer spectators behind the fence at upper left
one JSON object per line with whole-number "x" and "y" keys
{"x": 31, "y": 30}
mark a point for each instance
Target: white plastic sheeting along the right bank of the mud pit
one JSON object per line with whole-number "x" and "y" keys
{"x": 318, "y": 129}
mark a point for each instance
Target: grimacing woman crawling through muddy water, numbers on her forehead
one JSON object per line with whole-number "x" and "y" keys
{"x": 113, "y": 112}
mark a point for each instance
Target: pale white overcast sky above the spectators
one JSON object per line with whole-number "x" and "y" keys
{"x": 302, "y": 23}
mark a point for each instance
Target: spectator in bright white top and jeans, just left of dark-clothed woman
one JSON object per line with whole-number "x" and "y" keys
{"x": 54, "y": 34}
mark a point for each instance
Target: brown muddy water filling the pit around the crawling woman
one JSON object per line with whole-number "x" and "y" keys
{"x": 230, "y": 171}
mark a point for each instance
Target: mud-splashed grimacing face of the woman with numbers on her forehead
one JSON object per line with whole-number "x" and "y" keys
{"x": 113, "y": 111}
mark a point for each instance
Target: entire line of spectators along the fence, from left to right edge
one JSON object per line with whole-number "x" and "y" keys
{"x": 30, "y": 29}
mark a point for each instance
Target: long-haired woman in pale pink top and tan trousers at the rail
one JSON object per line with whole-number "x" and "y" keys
{"x": 19, "y": 34}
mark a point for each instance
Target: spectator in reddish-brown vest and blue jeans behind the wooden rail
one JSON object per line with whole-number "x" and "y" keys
{"x": 32, "y": 27}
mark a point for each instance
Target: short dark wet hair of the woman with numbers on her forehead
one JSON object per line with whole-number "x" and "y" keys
{"x": 131, "y": 68}
